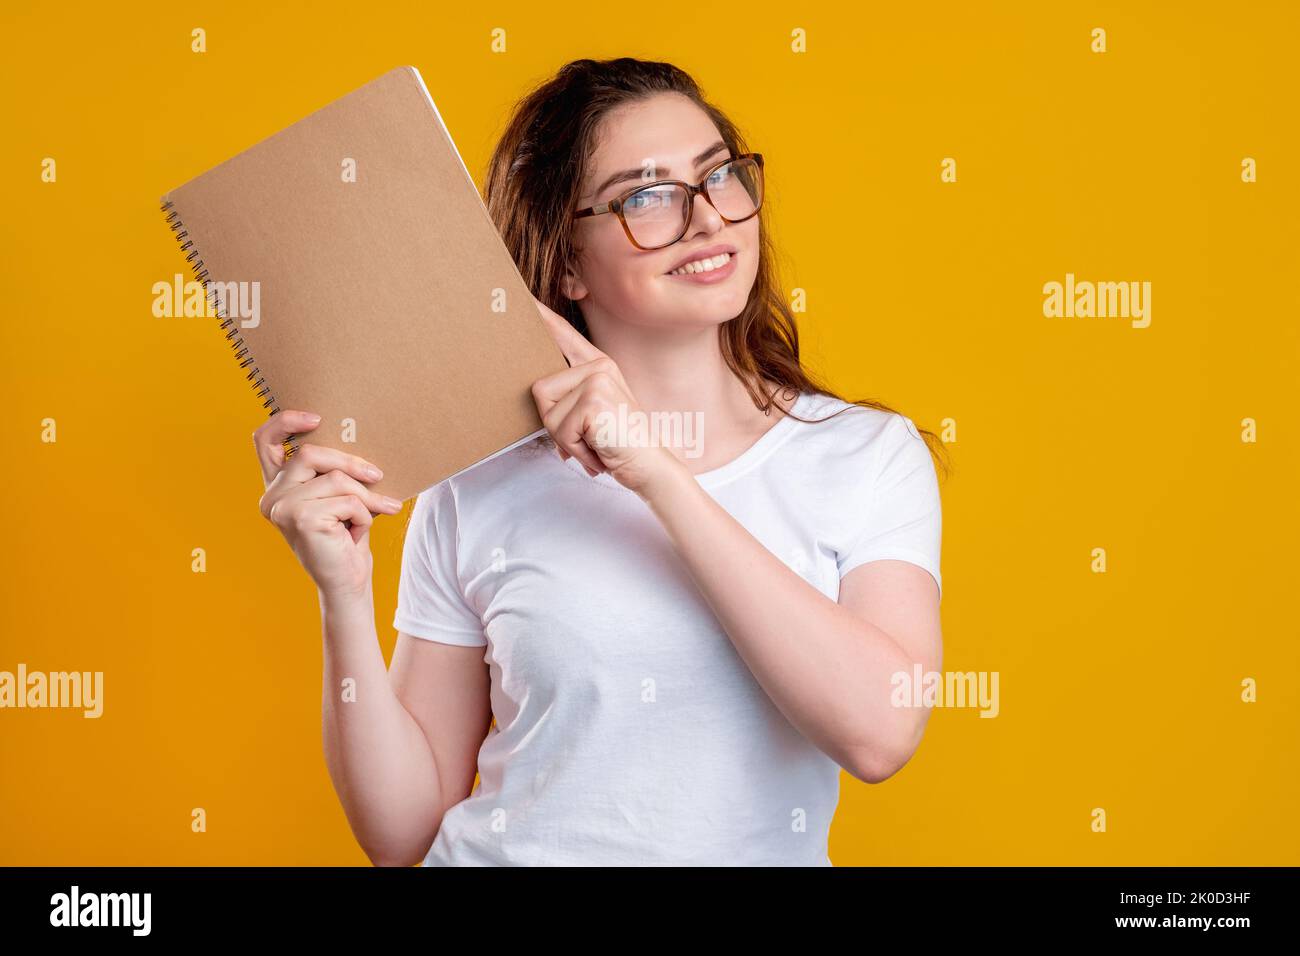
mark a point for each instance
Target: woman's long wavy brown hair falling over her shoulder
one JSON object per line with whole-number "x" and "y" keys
{"x": 535, "y": 179}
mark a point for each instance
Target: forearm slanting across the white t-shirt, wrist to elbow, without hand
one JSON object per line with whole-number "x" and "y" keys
{"x": 825, "y": 668}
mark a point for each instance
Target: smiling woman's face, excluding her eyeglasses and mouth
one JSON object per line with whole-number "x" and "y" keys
{"x": 664, "y": 137}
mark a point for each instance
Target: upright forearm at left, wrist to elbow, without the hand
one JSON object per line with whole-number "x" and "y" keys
{"x": 378, "y": 756}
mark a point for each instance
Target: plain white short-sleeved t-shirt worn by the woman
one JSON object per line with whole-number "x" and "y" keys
{"x": 629, "y": 729}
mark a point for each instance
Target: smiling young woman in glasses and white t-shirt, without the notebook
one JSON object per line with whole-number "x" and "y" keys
{"x": 683, "y": 644}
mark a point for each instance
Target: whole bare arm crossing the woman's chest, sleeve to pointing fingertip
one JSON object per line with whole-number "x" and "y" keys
{"x": 826, "y": 665}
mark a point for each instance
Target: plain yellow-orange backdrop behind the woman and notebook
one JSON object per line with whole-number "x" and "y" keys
{"x": 1119, "y": 691}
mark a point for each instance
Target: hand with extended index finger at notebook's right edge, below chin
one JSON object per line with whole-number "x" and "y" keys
{"x": 587, "y": 409}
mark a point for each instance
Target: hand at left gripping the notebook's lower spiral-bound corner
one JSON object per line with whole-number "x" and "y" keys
{"x": 311, "y": 496}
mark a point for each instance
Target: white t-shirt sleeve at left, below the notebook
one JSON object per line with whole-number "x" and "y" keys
{"x": 430, "y": 602}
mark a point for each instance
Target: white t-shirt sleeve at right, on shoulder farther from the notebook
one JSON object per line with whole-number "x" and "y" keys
{"x": 904, "y": 518}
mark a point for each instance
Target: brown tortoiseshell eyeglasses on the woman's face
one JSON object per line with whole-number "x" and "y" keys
{"x": 658, "y": 214}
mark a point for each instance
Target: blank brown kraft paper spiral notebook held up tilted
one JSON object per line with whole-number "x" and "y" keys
{"x": 388, "y": 301}
